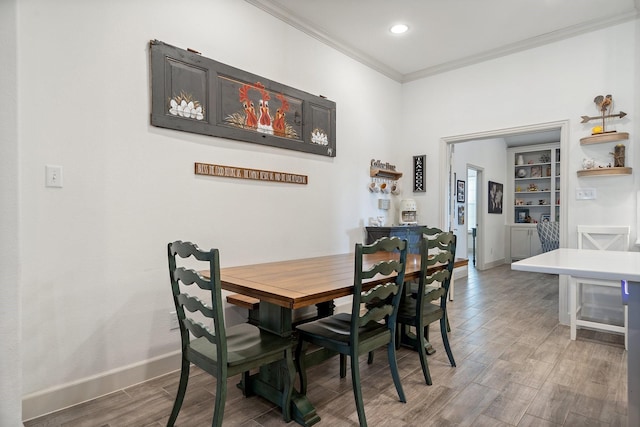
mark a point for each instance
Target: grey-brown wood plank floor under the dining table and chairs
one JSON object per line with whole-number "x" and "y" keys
{"x": 515, "y": 367}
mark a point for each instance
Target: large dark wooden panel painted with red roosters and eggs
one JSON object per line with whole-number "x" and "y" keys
{"x": 192, "y": 93}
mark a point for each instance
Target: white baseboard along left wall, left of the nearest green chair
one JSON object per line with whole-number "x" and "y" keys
{"x": 50, "y": 400}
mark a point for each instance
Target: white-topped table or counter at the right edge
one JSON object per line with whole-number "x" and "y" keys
{"x": 612, "y": 265}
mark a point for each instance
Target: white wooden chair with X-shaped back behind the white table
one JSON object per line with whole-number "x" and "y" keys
{"x": 601, "y": 238}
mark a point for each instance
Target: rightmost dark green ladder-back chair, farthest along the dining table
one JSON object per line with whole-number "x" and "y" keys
{"x": 427, "y": 302}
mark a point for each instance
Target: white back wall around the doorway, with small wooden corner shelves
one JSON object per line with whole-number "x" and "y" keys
{"x": 548, "y": 84}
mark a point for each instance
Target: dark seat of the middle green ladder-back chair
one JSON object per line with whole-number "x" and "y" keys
{"x": 338, "y": 328}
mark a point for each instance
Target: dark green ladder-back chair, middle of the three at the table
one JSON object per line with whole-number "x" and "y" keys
{"x": 371, "y": 323}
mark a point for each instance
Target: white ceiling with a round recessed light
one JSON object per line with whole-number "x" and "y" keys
{"x": 443, "y": 34}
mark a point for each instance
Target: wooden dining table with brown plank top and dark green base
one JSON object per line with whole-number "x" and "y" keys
{"x": 285, "y": 286}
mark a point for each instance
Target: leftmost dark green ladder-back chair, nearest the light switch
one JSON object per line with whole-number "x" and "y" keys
{"x": 222, "y": 352}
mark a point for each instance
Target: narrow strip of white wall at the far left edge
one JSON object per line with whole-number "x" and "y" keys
{"x": 10, "y": 312}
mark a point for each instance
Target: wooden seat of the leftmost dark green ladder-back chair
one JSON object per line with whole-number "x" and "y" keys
{"x": 245, "y": 344}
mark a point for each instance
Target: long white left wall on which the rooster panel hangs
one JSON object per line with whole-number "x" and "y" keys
{"x": 95, "y": 283}
